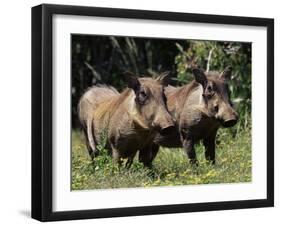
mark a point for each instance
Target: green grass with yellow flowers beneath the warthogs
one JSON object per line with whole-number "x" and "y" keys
{"x": 233, "y": 165}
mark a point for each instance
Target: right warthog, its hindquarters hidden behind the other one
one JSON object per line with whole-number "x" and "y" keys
{"x": 198, "y": 109}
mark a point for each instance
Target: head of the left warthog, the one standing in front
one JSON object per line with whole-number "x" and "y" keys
{"x": 150, "y": 101}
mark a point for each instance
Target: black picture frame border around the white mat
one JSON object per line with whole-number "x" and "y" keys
{"x": 42, "y": 111}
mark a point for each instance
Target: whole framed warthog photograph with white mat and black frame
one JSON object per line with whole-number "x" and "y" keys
{"x": 145, "y": 112}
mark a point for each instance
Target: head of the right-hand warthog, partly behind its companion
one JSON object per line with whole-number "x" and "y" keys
{"x": 216, "y": 95}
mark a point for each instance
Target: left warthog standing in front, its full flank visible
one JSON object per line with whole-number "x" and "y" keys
{"x": 125, "y": 121}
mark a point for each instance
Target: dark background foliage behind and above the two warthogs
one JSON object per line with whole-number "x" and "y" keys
{"x": 104, "y": 59}
